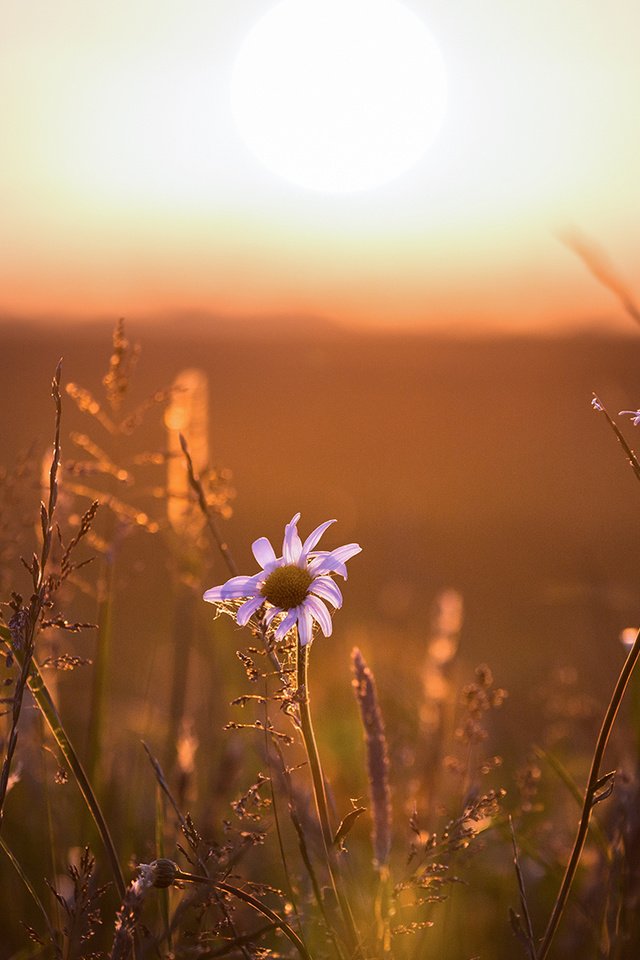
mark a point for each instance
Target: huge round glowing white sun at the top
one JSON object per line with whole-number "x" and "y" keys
{"x": 339, "y": 96}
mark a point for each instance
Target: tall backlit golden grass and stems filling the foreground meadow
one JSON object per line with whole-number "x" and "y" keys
{"x": 247, "y": 843}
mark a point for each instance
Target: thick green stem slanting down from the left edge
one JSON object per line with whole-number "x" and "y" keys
{"x": 48, "y": 710}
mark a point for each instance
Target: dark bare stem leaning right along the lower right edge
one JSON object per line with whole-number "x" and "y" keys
{"x": 595, "y": 785}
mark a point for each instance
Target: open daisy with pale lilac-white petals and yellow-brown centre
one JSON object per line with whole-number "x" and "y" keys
{"x": 295, "y": 587}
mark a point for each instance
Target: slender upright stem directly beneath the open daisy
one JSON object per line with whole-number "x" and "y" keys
{"x": 320, "y": 796}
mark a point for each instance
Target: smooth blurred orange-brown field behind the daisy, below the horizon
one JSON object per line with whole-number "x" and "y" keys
{"x": 473, "y": 464}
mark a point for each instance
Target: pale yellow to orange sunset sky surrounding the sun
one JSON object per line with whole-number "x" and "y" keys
{"x": 127, "y": 187}
